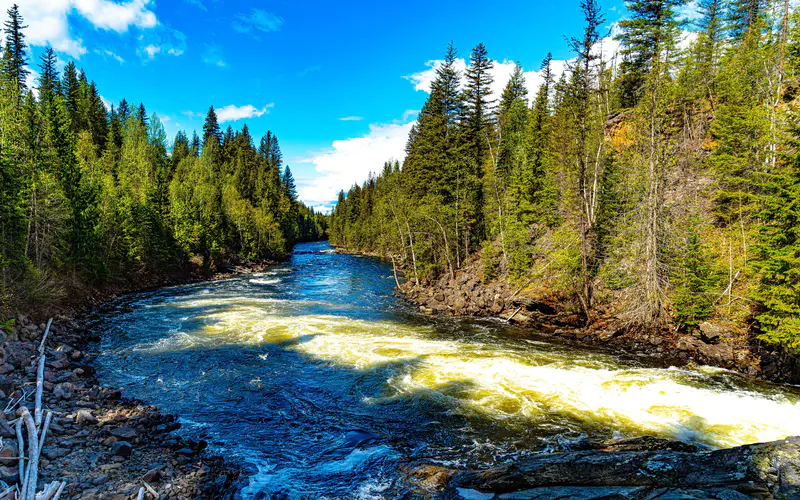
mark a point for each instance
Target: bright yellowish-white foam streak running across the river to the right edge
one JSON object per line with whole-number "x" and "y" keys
{"x": 509, "y": 386}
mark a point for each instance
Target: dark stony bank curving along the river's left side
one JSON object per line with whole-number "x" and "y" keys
{"x": 103, "y": 444}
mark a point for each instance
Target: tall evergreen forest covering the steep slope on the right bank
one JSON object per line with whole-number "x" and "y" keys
{"x": 659, "y": 183}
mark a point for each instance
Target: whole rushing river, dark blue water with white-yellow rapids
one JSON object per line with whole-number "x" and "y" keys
{"x": 318, "y": 376}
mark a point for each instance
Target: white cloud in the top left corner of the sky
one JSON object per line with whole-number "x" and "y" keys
{"x": 48, "y": 20}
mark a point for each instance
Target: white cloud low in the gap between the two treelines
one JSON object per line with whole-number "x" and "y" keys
{"x": 351, "y": 160}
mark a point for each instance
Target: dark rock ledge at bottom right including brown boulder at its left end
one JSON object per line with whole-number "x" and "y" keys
{"x": 636, "y": 469}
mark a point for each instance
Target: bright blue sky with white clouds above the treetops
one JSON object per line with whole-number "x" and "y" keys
{"x": 338, "y": 82}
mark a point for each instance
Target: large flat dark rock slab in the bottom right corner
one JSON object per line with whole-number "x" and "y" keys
{"x": 731, "y": 473}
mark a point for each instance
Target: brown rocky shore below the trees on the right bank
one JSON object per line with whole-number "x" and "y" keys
{"x": 544, "y": 315}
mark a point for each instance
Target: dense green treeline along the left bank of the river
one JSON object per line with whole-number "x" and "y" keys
{"x": 89, "y": 194}
